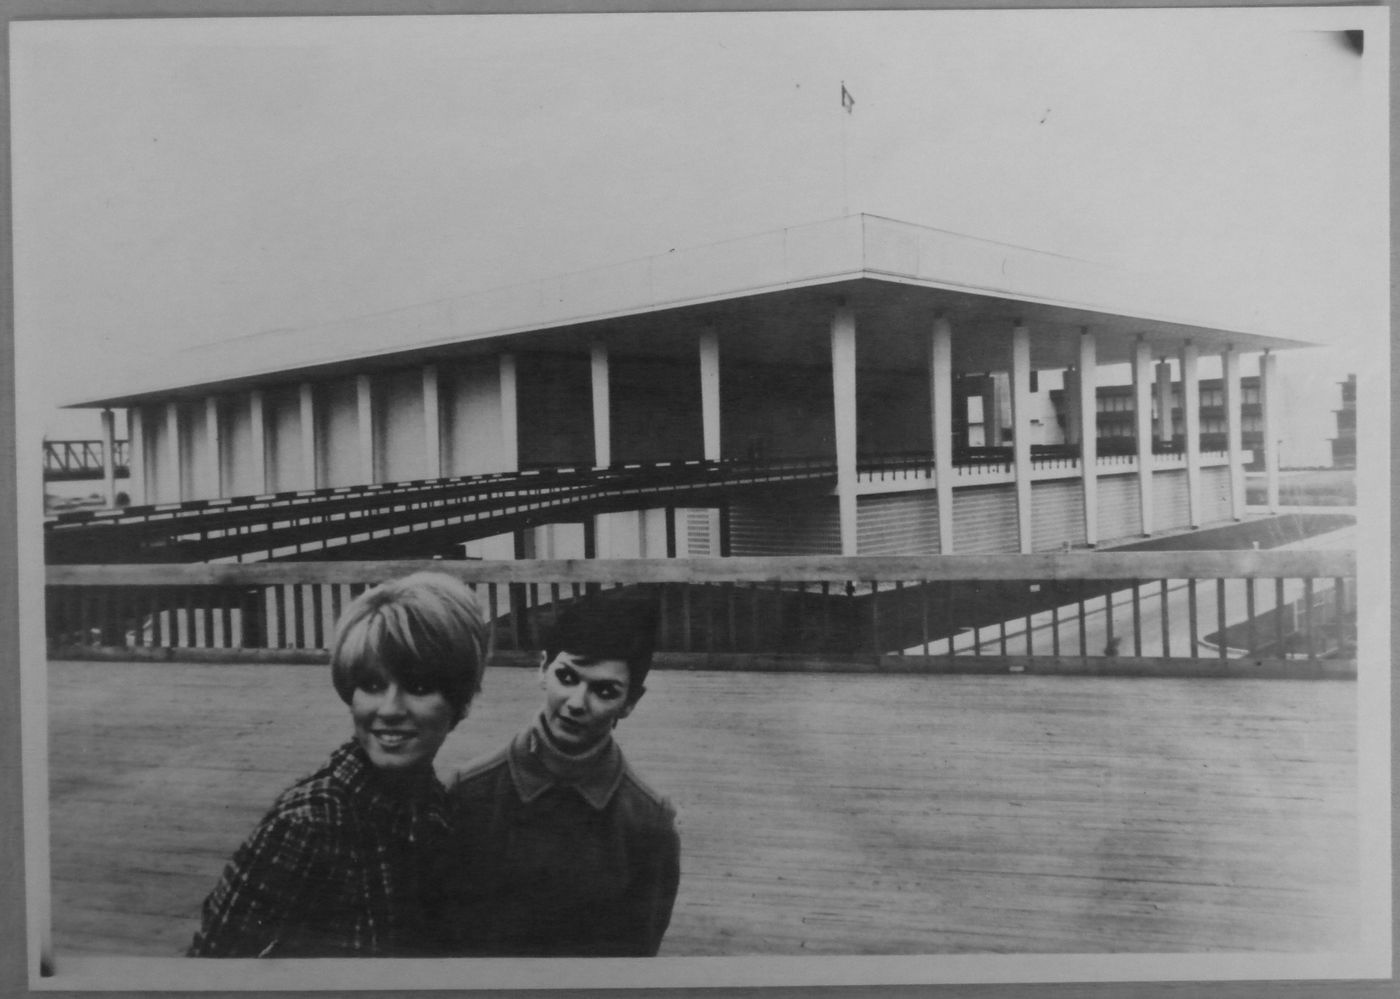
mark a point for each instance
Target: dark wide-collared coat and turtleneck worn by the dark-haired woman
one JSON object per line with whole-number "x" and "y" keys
{"x": 558, "y": 854}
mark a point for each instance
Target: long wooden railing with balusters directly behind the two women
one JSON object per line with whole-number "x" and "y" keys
{"x": 1230, "y": 614}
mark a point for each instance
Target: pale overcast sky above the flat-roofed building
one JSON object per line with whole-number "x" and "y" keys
{"x": 195, "y": 180}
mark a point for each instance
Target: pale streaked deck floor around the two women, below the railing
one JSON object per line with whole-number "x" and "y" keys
{"x": 838, "y": 815}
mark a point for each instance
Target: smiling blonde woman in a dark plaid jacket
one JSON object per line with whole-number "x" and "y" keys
{"x": 342, "y": 865}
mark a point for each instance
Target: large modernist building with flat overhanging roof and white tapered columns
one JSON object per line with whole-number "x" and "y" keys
{"x": 902, "y": 356}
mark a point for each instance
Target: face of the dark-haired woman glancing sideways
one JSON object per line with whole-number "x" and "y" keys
{"x": 584, "y": 699}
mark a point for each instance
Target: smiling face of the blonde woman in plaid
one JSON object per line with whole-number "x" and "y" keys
{"x": 400, "y": 723}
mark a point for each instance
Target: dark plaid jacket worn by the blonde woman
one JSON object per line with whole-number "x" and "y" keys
{"x": 337, "y": 868}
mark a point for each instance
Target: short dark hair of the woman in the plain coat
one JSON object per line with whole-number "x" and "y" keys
{"x": 610, "y": 626}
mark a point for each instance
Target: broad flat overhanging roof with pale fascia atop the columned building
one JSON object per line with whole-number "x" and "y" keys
{"x": 771, "y": 299}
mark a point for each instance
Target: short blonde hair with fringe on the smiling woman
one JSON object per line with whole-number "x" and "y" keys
{"x": 426, "y": 626}
